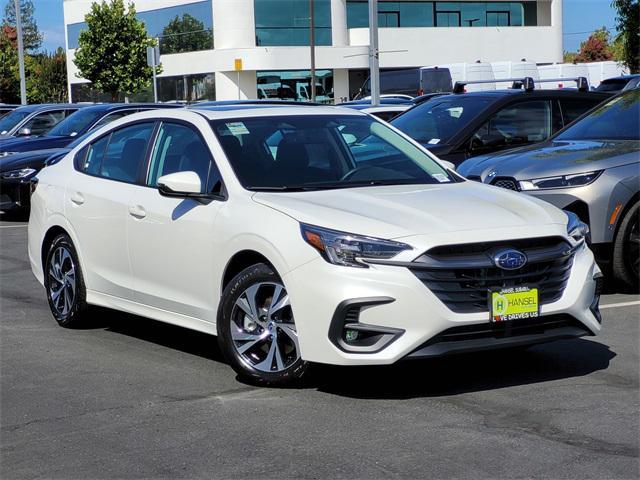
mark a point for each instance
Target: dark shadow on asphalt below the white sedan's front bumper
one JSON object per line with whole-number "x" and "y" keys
{"x": 466, "y": 373}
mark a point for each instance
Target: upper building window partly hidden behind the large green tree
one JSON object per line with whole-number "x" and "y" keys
{"x": 183, "y": 28}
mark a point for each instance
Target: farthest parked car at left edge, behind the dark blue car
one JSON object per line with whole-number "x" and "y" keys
{"x": 34, "y": 119}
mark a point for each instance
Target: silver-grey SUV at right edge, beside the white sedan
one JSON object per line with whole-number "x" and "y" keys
{"x": 591, "y": 168}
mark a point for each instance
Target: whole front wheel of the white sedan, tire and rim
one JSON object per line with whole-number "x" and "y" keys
{"x": 256, "y": 329}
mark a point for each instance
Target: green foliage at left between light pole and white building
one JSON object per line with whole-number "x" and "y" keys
{"x": 47, "y": 77}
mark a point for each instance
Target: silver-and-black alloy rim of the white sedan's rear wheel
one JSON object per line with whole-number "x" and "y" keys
{"x": 62, "y": 281}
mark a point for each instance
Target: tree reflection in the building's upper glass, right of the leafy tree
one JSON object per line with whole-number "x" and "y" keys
{"x": 185, "y": 34}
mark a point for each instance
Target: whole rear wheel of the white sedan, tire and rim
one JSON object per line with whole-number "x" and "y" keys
{"x": 64, "y": 283}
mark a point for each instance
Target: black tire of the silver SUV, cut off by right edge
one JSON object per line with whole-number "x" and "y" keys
{"x": 626, "y": 249}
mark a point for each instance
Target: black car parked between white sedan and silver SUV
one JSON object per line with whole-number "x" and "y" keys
{"x": 460, "y": 126}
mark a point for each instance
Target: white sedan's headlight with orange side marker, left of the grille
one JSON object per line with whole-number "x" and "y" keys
{"x": 341, "y": 248}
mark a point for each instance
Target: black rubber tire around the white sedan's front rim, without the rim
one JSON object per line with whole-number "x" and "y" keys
{"x": 249, "y": 276}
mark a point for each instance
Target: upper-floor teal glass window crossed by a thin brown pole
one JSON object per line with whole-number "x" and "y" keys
{"x": 286, "y": 22}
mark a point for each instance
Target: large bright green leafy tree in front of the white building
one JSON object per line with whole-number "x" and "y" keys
{"x": 112, "y": 51}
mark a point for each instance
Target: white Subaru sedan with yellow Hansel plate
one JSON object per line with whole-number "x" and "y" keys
{"x": 303, "y": 234}
